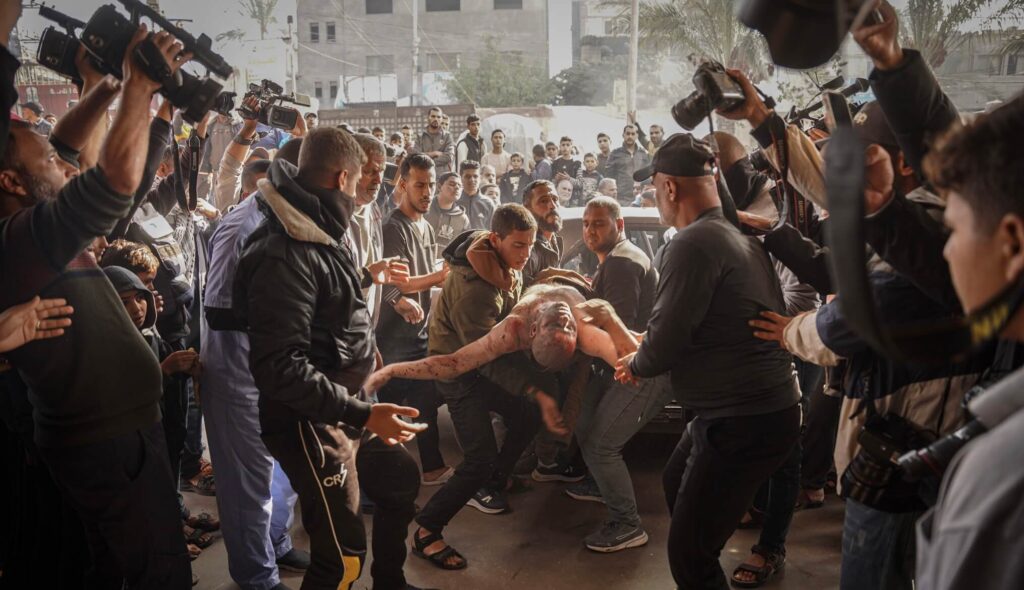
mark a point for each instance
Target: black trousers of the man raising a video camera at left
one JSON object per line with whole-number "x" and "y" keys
{"x": 123, "y": 491}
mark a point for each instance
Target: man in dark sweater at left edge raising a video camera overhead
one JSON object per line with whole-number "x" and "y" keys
{"x": 88, "y": 416}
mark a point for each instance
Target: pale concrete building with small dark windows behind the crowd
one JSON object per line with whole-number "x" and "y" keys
{"x": 363, "y": 51}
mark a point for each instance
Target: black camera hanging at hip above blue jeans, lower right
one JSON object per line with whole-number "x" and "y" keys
{"x": 874, "y": 478}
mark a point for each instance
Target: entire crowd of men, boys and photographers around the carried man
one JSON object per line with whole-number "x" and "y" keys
{"x": 312, "y": 303}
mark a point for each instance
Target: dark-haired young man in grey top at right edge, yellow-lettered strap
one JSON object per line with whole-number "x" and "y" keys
{"x": 973, "y": 537}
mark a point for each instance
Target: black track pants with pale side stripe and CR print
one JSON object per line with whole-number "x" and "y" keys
{"x": 321, "y": 462}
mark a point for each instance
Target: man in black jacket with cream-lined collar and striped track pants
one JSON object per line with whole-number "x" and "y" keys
{"x": 298, "y": 290}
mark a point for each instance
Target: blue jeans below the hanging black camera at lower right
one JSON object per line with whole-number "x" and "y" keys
{"x": 878, "y": 550}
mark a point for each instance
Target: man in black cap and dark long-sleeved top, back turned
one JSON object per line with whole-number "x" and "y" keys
{"x": 713, "y": 281}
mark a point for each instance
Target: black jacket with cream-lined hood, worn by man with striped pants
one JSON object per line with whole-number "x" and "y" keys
{"x": 298, "y": 290}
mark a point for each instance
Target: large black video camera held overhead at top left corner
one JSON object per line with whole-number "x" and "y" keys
{"x": 107, "y": 37}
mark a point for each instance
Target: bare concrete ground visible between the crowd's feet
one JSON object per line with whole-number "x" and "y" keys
{"x": 539, "y": 544}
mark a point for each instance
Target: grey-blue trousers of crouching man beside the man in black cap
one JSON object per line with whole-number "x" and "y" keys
{"x": 611, "y": 415}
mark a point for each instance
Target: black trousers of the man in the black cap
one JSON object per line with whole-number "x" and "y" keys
{"x": 711, "y": 481}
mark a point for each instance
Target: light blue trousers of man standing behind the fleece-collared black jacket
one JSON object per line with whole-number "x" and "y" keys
{"x": 254, "y": 497}
